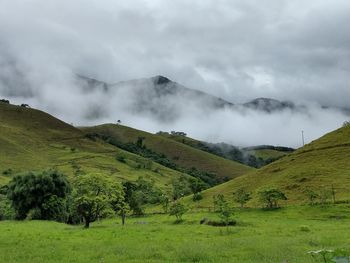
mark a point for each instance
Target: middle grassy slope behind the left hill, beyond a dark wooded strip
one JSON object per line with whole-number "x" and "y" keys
{"x": 181, "y": 154}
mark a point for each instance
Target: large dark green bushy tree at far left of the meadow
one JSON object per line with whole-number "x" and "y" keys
{"x": 44, "y": 192}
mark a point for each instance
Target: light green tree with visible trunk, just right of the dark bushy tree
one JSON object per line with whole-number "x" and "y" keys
{"x": 95, "y": 195}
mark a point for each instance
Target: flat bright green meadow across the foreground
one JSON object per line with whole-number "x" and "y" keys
{"x": 285, "y": 235}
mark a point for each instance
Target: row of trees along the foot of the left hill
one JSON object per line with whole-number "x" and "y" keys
{"x": 49, "y": 195}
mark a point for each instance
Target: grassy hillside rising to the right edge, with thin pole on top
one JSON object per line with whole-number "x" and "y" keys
{"x": 318, "y": 166}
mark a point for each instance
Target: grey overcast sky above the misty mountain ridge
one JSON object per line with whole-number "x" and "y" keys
{"x": 238, "y": 50}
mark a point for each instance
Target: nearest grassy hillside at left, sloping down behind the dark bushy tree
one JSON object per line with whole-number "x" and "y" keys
{"x": 33, "y": 140}
